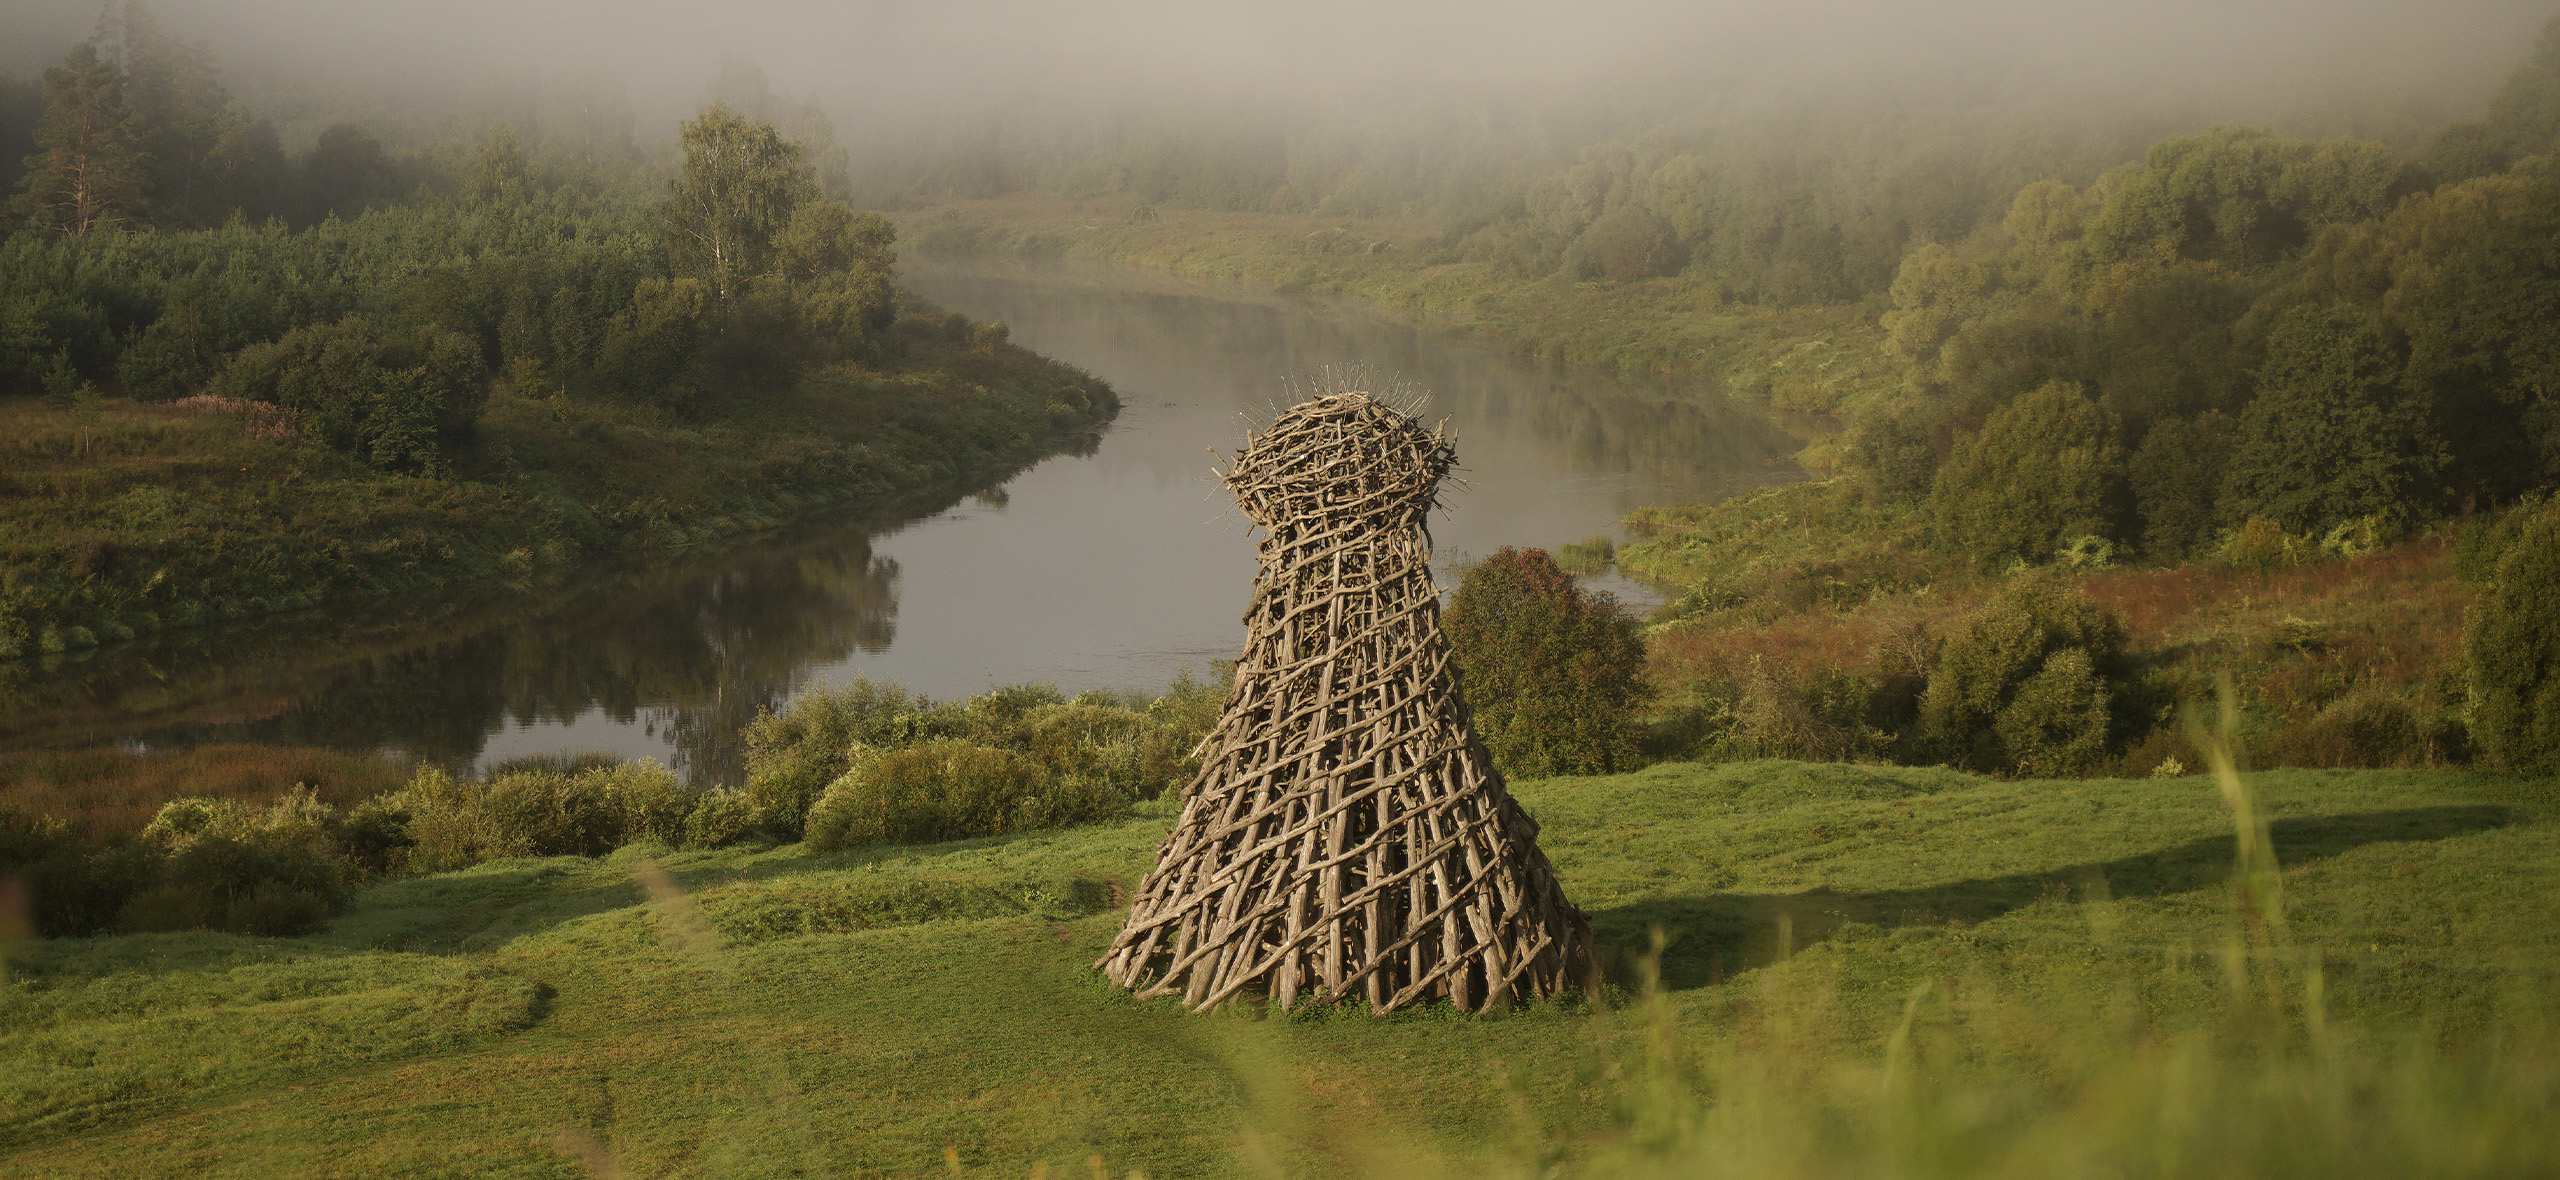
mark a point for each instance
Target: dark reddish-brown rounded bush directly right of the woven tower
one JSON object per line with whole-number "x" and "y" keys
{"x": 1555, "y": 674}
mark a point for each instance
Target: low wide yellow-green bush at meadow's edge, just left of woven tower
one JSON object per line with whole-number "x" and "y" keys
{"x": 951, "y": 790}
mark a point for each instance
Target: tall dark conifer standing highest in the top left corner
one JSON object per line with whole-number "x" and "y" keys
{"x": 88, "y": 170}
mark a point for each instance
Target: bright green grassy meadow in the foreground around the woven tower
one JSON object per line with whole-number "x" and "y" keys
{"x": 1868, "y": 971}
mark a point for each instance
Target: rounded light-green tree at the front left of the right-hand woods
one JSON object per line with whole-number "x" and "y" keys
{"x": 2039, "y": 472}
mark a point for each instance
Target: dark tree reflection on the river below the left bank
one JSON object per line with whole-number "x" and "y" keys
{"x": 690, "y": 649}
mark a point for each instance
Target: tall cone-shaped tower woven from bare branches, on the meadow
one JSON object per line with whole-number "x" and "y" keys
{"x": 1348, "y": 836}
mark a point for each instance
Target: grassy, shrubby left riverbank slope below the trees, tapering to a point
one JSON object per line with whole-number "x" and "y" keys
{"x": 142, "y": 518}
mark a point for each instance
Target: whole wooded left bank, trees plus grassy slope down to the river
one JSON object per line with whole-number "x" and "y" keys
{"x": 255, "y": 383}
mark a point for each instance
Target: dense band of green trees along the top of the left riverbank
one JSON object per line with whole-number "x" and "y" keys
{"x": 160, "y": 247}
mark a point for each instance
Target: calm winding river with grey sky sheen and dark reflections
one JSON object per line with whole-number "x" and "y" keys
{"x": 1112, "y": 570}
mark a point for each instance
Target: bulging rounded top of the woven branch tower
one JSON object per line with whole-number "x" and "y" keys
{"x": 1340, "y": 457}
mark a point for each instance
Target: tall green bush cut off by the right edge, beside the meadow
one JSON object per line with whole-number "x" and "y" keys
{"x": 2513, "y": 651}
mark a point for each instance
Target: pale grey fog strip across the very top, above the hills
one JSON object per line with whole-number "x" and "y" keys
{"x": 884, "y": 65}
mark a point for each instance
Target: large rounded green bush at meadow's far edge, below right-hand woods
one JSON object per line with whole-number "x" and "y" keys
{"x": 2024, "y": 682}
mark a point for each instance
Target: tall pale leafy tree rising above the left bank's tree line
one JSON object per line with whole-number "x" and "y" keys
{"x": 741, "y": 188}
